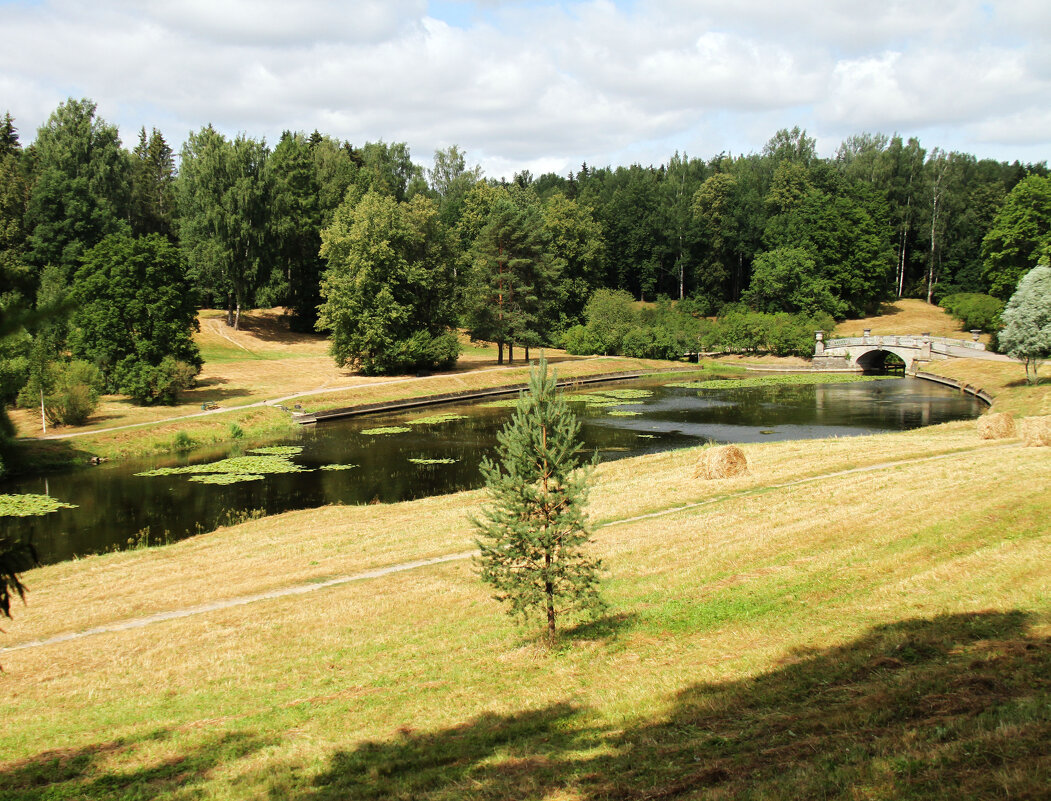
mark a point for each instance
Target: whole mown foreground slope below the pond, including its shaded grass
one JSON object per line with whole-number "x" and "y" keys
{"x": 873, "y": 634}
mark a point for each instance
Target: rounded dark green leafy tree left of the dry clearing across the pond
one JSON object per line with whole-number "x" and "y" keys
{"x": 135, "y": 314}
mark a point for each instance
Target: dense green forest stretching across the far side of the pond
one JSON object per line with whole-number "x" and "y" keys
{"x": 107, "y": 253}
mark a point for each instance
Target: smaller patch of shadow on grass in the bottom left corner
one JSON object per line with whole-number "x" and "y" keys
{"x": 101, "y": 771}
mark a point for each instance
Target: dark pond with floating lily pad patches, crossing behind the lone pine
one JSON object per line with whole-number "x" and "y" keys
{"x": 439, "y": 450}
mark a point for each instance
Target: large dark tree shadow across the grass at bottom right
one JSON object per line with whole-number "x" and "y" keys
{"x": 956, "y": 707}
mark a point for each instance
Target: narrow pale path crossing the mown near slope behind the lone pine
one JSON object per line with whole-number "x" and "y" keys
{"x": 303, "y": 589}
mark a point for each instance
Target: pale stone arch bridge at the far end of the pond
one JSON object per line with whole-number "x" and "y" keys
{"x": 871, "y": 353}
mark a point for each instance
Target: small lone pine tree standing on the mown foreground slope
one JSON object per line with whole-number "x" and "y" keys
{"x": 533, "y": 533}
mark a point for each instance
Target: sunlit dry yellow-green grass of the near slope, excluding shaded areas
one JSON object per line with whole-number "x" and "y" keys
{"x": 718, "y": 594}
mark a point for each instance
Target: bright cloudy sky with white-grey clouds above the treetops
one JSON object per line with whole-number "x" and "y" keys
{"x": 545, "y": 85}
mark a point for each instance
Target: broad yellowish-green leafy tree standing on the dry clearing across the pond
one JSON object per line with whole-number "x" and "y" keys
{"x": 388, "y": 287}
